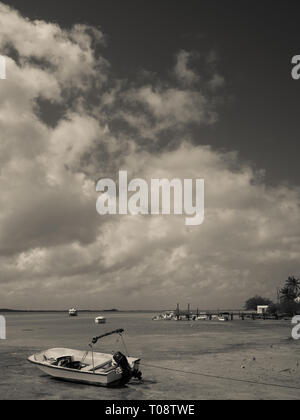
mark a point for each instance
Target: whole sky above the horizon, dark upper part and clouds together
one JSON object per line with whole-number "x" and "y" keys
{"x": 198, "y": 89}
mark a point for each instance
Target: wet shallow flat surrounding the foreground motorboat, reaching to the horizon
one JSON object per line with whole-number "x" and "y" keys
{"x": 260, "y": 352}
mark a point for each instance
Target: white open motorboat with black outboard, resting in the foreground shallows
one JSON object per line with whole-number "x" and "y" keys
{"x": 89, "y": 367}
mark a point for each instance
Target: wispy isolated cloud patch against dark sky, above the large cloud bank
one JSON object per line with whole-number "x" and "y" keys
{"x": 159, "y": 109}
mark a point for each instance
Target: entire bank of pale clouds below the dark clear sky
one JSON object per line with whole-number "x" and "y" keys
{"x": 54, "y": 247}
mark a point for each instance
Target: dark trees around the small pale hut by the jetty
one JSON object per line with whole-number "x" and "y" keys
{"x": 289, "y": 299}
